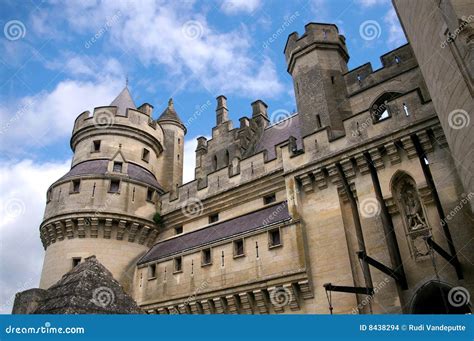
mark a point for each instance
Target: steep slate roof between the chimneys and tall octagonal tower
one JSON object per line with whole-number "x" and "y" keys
{"x": 278, "y": 133}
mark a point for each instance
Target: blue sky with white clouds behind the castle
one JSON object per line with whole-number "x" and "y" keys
{"x": 59, "y": 59}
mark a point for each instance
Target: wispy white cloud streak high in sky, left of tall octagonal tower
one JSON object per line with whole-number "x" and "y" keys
{"x": 178, "y": 38}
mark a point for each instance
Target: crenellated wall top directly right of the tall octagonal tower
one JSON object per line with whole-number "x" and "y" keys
{"x": 393, "y": 63}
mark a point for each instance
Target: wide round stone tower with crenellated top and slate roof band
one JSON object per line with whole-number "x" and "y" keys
{"x": 104, "y": 206}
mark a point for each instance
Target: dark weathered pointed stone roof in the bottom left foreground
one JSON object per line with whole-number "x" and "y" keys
{"x": 89, "y": 288}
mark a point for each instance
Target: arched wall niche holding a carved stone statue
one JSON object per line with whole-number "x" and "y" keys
{"x": 412, "y": 213}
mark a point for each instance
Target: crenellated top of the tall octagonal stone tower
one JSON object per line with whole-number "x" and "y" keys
{"x": 316, "y": 35}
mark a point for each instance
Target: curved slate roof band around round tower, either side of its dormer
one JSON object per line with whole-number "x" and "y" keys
{"x": 99, "y": 167}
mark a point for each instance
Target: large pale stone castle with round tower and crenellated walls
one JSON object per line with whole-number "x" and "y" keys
{"x": 343, "y": 207}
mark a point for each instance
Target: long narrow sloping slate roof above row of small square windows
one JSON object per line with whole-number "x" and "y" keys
{"x": 224, "y": 230}
